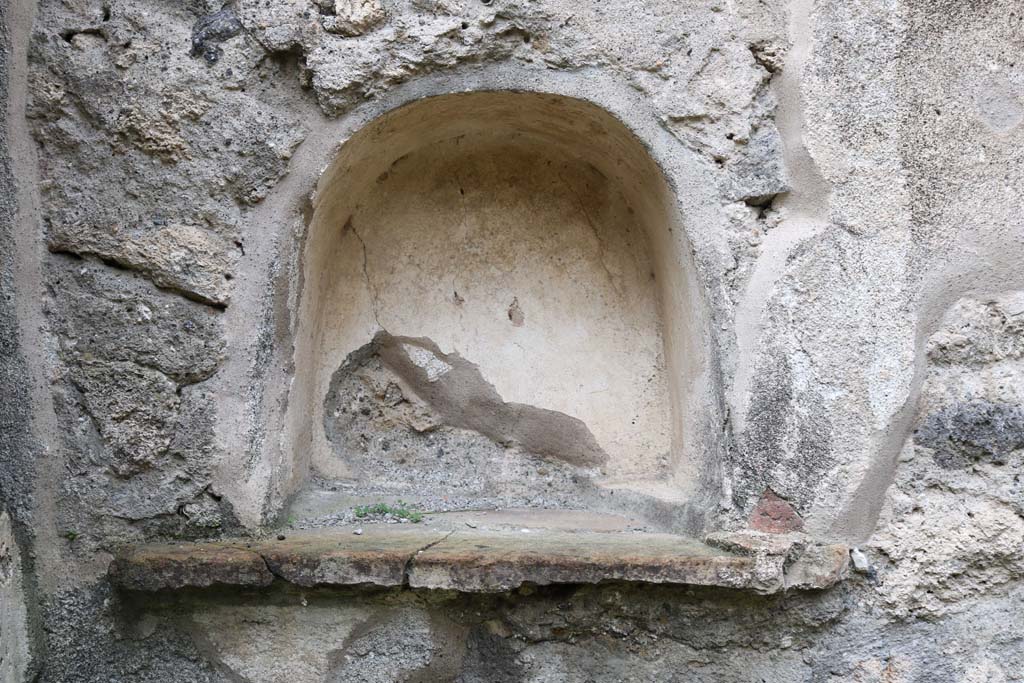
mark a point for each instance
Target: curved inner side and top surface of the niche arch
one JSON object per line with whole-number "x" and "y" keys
{"x": 564, "y": 122}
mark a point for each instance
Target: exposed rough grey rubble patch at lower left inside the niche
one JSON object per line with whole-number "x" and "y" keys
{"x": 383, "y": 423}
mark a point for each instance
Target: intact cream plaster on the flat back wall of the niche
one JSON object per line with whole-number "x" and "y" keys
{"x": 493, "y": 228}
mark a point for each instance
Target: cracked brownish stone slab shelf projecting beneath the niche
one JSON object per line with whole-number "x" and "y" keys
{"x": 476, "y": 561}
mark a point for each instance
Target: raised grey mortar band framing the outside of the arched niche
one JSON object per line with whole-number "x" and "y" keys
{"x": 270, "y": 463}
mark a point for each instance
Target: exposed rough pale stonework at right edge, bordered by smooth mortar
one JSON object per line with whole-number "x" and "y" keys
{"x": 954, "y": 526}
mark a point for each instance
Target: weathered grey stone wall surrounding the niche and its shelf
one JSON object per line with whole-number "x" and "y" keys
{"x": 849, "y": 181}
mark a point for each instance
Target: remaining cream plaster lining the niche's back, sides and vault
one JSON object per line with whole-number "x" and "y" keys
{"x": 518, "y": 232}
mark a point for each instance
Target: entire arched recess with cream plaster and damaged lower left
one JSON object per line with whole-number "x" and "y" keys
{"x": 516, "y": 265}
